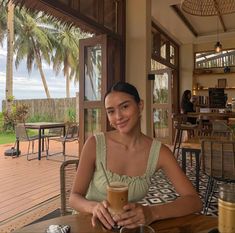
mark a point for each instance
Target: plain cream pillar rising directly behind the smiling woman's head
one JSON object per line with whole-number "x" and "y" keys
{"x": 138, "y": 48}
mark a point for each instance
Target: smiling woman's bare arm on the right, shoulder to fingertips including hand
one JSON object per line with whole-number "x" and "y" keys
{"x": 188, "y": 202}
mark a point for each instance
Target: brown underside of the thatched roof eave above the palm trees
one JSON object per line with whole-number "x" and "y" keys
{"x": 57, "y": 10}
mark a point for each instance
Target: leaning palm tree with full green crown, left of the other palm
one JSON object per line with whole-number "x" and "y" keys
{"x": 33, "y": 41}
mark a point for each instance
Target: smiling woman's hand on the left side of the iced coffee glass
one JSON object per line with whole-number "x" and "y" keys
{"x": 101, "y": 213}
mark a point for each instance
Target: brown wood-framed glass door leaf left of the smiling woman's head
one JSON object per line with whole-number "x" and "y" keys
{"x": 92, "y": 87}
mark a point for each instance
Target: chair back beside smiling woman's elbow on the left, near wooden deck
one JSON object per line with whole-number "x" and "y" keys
{"x": 67, "y": 174}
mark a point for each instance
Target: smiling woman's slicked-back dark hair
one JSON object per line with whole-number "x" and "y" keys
{"x": 126, "y": 88}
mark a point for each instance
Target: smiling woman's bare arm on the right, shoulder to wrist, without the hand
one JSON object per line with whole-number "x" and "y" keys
{"x": 188, "y": 201}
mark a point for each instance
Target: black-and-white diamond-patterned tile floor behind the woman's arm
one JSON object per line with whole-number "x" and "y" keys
{"x": 162, "y": 191}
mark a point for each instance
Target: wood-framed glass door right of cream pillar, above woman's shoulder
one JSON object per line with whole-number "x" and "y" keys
{"x": 162, "y": 105}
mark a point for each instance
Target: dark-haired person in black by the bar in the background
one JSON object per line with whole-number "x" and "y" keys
{"x": 187, "y": 105}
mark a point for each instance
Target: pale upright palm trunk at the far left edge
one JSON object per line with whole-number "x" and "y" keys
{"x": 9, "y": 65}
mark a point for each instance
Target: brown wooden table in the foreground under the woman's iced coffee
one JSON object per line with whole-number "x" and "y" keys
{"x": 82, "y": 224}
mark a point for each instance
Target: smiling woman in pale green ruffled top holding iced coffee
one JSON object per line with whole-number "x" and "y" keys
{"x": 131, "y": 157}
